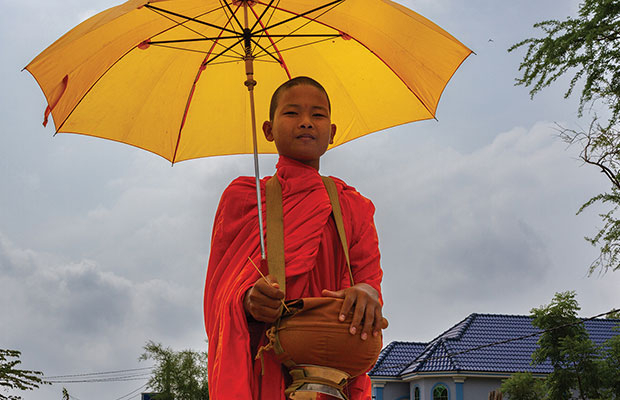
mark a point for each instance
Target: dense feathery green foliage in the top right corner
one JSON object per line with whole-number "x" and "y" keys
{"x": 589, "y": 45}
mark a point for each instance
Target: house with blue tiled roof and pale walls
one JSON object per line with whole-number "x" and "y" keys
{"x": 468, "y": 361}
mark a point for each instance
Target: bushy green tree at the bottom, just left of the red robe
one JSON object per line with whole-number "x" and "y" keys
{"x": 177, "y": 375}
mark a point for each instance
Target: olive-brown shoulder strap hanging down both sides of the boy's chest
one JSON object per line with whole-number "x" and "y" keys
{"x": 275, "y": 227}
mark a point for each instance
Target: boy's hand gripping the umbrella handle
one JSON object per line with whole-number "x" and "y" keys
{"x": 263, "y": 300}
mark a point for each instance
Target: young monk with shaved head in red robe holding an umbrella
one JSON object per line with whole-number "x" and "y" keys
{"x": 239, "y": 304}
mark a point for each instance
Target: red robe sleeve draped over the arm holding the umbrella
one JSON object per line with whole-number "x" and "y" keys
{"x": 228, "y": 277}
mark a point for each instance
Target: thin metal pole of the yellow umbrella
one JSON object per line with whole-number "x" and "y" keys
{"x": 250, "y": 83}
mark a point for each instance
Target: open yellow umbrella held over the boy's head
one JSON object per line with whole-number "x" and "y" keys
{"x": 173, "y": 76}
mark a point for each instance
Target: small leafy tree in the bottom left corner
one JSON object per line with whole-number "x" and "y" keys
{"x": 12, "y": 378}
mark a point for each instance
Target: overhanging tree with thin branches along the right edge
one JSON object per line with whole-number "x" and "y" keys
{"x": 588, "y": 48}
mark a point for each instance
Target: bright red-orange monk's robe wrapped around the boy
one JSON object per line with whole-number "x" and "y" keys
{"x": 314, "y": 261}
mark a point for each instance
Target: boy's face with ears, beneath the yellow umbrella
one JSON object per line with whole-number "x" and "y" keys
{"x": 301, "y": 126}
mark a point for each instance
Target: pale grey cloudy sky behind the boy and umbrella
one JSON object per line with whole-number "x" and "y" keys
{"x": 104, "y": 246}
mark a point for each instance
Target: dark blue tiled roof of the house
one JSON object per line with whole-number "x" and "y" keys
{"x": 452, "y": 350}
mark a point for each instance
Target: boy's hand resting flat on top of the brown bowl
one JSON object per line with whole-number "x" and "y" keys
{"x": 365, "y": 299}
